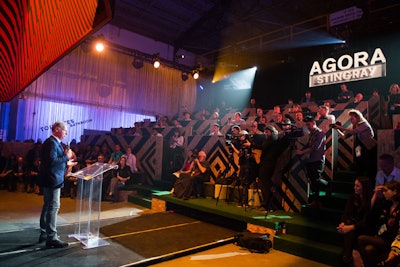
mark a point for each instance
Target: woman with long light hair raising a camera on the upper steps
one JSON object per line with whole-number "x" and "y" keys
{"x": 365, "y": 145}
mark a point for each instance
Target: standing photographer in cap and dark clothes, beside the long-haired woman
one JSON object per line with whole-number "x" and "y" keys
{"x": 315, "y": 149}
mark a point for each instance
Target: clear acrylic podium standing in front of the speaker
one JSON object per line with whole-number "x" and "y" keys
{"x": 88, "y": 205}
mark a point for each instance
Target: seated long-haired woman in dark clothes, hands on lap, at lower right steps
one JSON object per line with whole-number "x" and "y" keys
{"x": 354, "y": 220}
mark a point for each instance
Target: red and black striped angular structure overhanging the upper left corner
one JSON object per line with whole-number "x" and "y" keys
{"x": 34, "y": 34}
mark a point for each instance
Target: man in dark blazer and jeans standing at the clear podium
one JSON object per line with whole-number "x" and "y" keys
{"x": 52, "y": 170}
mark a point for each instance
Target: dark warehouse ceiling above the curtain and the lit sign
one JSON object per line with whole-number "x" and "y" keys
{"x": 212, "y": 28}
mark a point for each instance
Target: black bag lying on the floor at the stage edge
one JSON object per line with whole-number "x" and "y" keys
{"x": 253, "y": 242}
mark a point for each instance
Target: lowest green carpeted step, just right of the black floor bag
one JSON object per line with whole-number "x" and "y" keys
{"x": 322, "y": 252}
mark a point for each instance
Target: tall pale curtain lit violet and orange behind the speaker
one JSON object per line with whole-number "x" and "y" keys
{"x": 95, "y": 91}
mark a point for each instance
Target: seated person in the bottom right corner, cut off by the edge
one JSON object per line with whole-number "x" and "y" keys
{"x": 385, "y": 218}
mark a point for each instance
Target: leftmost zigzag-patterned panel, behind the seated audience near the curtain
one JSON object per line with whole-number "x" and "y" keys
{"x": 148, "y": 150}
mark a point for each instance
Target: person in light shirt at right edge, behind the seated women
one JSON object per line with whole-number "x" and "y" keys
{"x": 388, "y": 172}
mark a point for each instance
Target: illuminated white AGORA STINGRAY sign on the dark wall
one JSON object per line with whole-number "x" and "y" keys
{"x": 348, "y": 68}
